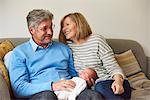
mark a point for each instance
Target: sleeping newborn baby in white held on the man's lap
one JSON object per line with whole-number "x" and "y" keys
{"x": 80, "y": 85}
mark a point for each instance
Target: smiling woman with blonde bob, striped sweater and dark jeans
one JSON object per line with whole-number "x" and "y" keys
{"x": 91, "y": 50}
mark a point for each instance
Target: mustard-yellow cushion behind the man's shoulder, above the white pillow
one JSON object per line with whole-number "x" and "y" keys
{"x": 5, "y": 46}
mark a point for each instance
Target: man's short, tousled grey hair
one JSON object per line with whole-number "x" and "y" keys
{"x": 36, "y": 16}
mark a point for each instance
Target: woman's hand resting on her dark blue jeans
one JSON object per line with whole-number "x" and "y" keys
{"x": 117, "y": 85}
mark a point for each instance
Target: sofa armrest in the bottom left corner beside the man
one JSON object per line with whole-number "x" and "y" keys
{"x": 4, "y": 92}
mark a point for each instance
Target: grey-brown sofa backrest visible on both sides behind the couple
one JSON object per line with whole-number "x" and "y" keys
{"x": 118, "y": 45}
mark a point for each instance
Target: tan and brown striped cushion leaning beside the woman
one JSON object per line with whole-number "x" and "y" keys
{"x": 132, "y": 70}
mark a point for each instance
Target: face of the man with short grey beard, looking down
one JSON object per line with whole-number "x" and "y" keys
{"x": 42, "y": 35}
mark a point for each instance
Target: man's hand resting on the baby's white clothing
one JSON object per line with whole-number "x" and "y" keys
{"x": 63, "y": 85}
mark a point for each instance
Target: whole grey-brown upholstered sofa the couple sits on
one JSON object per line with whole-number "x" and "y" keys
{"x": 118, "y": 46}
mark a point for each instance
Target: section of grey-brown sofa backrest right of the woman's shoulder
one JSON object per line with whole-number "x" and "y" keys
{"x": 122, "y": 45}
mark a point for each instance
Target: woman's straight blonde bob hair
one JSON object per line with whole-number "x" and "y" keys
{"x": 83, "y": 28}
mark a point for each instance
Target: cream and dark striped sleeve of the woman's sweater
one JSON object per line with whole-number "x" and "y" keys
{"x": 107, "y": 57}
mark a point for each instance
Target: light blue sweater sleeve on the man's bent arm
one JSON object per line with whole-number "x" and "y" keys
{"x": 19, "y": 77}
